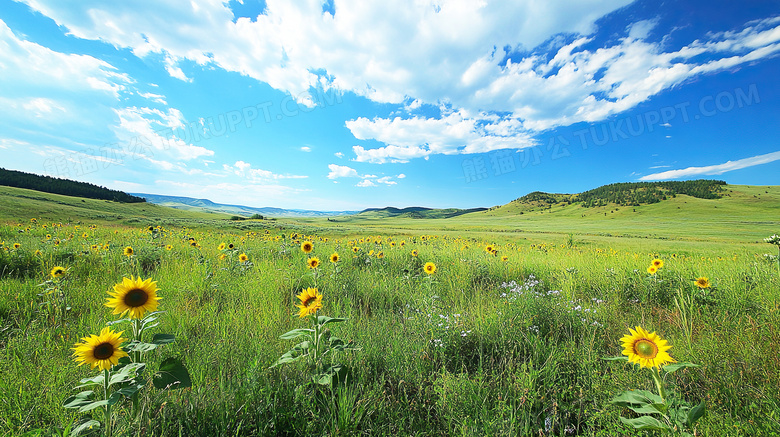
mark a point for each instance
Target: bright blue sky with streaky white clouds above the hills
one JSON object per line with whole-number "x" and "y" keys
{"x": 347, "y": 105}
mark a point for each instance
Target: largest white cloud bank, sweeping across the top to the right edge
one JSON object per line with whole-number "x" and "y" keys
{"x": 454, "y": 54}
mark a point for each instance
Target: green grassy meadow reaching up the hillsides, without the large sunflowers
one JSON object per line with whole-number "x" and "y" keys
{"x": 505, "y": 343}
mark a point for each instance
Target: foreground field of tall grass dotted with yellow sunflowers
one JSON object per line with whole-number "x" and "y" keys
{"x": 152, "y": 330}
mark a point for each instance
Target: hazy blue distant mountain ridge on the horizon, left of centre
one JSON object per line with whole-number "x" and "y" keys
{"x": 189, "y": 203}
